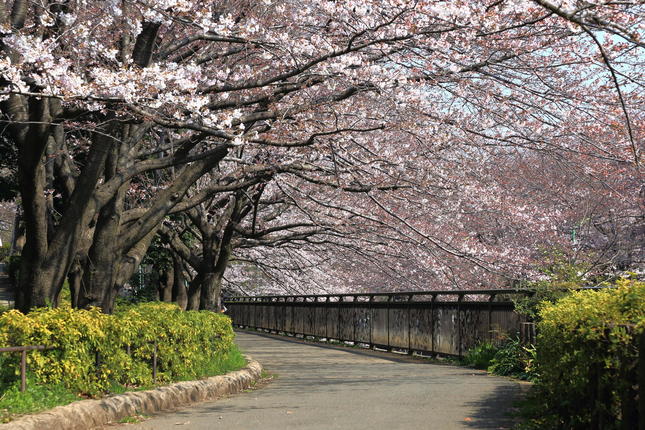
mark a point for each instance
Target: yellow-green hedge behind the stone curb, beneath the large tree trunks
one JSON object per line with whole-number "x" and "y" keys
{"x": 91, "y": 350}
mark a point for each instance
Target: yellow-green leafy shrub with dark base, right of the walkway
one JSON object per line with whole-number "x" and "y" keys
{"x": 587, "y": 355}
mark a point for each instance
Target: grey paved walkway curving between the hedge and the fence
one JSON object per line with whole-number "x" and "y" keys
{"x": 324, "y": 387}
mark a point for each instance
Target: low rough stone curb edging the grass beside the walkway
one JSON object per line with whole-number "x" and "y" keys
{"x": 86, "y": 414}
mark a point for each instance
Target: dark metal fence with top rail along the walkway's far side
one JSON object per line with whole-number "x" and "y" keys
{"x": 435, "y": 322}
